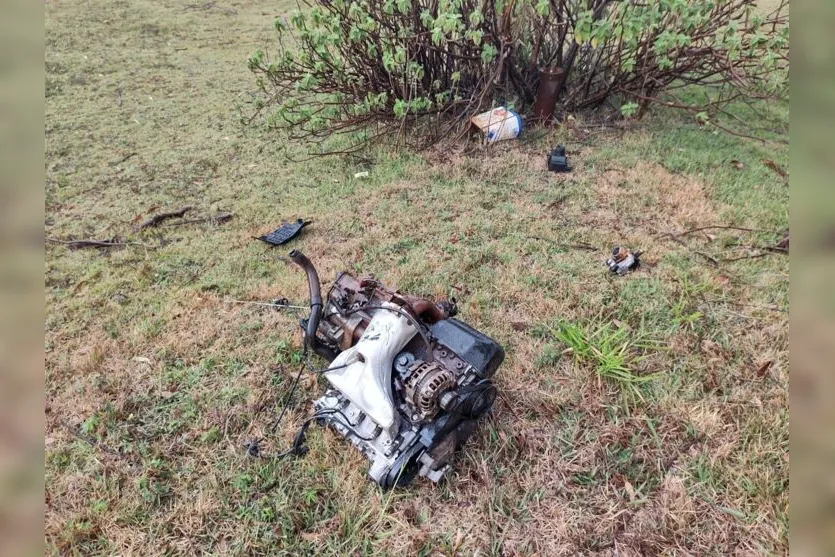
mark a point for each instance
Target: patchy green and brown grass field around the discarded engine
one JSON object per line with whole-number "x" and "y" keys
{"x": 154, "y": 381}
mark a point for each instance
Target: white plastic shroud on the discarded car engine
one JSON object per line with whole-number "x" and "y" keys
{"x": 367, "y": 380}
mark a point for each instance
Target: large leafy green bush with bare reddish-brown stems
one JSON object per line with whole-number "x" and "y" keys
{"x": 426, "y": 66}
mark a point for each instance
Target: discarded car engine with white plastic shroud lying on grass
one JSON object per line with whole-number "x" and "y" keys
{"x": 408, "y": 380}
